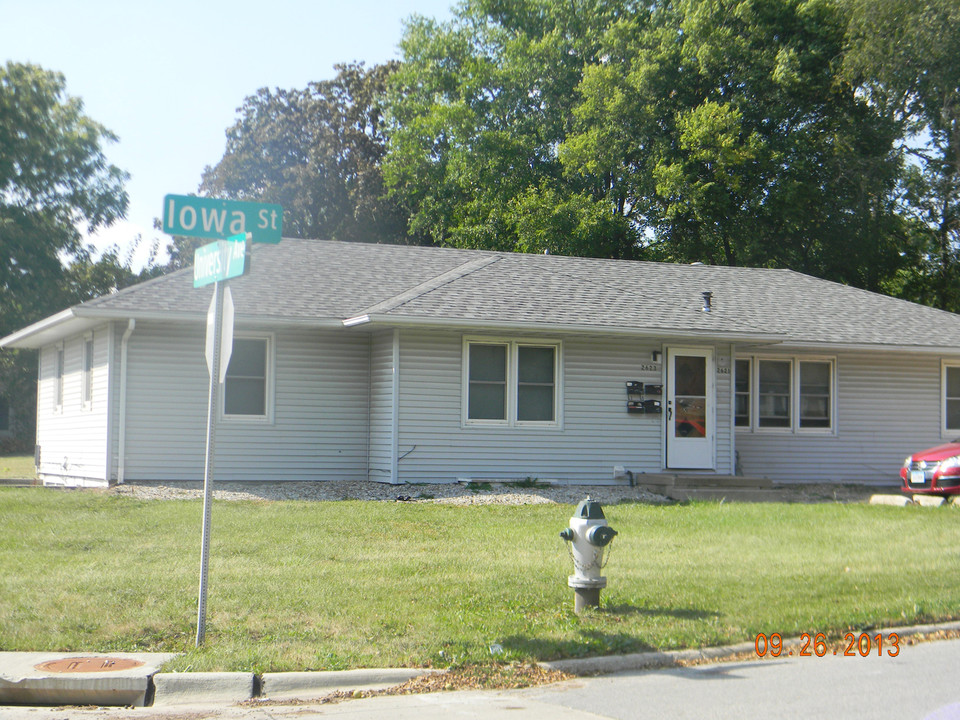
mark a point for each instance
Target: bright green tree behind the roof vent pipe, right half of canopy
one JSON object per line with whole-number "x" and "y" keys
{"x": 722, "y": 127}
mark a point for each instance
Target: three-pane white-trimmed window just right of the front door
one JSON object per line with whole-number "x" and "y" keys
{"x": 788, "y": 394}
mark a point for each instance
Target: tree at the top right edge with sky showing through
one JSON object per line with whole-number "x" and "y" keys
{"x": 905, "y": 57}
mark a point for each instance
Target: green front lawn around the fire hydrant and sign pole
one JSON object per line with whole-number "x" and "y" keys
{"x": 300, "y": 586}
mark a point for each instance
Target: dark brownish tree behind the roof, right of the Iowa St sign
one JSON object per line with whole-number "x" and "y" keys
{"x": 317, "y": 153}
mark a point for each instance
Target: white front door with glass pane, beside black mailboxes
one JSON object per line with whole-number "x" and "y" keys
{"x": 690, "y": 413}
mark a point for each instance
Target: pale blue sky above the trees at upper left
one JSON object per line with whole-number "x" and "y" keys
{"x": 167, "y": 77}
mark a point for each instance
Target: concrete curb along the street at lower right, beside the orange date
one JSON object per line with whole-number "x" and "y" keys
{"x": 670, "y": 658}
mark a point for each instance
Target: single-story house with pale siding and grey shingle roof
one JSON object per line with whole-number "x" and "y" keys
{"x": 412, "y": 364}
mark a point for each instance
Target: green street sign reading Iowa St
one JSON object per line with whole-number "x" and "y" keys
{"x": 212, "y": 218}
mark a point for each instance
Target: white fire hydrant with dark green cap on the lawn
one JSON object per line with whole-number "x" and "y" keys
{"x": 588, "y": 535}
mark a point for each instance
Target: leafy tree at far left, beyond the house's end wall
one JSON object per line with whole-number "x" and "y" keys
{"x": 54, "y": 180}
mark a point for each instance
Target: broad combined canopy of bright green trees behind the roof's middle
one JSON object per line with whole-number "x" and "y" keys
{"x": 710, "y": 130}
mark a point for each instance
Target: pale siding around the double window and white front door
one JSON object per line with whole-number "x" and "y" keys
{"x": 597, "y": 433}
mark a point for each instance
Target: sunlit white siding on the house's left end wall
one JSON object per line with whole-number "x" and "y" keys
{"x": 72, "y": 433}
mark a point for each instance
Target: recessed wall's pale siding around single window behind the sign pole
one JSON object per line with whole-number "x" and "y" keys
{"x": 319, "y": 429}
